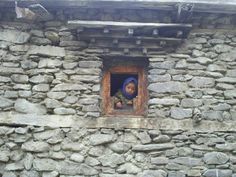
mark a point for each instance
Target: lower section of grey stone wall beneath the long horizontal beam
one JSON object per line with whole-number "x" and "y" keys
{"x": 40, "y": 151}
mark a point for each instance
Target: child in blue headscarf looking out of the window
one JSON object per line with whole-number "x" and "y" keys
{"x": 124, "y": 97}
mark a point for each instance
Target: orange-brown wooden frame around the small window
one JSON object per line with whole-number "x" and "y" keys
{"x": 140, "y": 101}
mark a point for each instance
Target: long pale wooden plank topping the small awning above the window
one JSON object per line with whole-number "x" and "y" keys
{"x": 103, "y": 24}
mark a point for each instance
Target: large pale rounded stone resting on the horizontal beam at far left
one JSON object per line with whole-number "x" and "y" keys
{"x": 23, "y": 106}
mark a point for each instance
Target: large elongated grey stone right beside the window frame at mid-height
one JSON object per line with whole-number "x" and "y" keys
{"x": 167, "y": 87}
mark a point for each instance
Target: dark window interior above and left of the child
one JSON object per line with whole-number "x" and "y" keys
{"x": 117, "y": 81}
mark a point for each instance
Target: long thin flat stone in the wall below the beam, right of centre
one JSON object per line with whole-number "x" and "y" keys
{"x": 153, "y": 147}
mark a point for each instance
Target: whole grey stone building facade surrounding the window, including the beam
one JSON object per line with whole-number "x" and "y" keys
{"x": 52, "y": 119}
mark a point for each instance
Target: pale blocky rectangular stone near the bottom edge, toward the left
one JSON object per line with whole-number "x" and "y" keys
{"x": 45, "y": 164}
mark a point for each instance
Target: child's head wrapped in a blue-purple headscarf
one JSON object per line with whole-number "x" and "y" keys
{"x": 129, "y": 88}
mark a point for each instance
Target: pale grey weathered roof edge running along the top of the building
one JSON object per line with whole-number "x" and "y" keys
{"x": 215, "y": 6}
